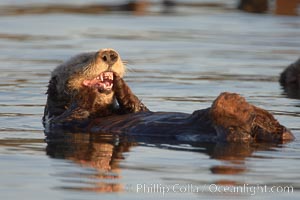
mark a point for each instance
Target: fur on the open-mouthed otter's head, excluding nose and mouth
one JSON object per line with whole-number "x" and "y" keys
{"x": 67, "y": 78}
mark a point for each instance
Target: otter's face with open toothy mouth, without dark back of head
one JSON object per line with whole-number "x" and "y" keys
{"x": 94, "y": 70}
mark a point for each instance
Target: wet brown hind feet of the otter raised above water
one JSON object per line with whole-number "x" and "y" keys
{"x": 235, "y": 119}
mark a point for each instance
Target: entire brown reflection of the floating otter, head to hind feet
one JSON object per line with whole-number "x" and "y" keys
{"x": 105, "y": 152}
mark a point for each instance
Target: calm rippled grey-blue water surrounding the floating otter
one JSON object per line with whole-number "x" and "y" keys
{"x": 175, "y": 63}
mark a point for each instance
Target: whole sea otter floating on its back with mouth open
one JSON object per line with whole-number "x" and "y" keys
{"x": 88, "y": 94}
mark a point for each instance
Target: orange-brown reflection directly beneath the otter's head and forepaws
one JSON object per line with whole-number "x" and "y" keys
{"x": 102, "y": 153}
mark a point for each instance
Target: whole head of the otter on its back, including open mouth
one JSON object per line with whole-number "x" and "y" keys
{"x": 92, "y": 72}
